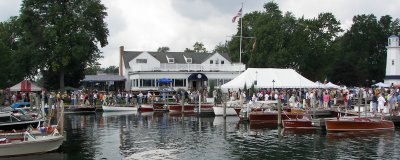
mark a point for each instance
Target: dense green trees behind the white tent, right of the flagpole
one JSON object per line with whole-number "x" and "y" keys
{"x": 317, "y": 48}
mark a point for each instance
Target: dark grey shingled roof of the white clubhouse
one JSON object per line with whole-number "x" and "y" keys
{"x": 197, "y": 58}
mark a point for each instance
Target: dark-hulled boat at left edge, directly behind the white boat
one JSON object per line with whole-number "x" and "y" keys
{"x": 9, "y": 122}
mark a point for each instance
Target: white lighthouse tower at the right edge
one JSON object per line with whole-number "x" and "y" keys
{"x": 393, "y": 61}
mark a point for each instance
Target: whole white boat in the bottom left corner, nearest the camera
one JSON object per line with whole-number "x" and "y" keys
{"x": 29, "y": 144}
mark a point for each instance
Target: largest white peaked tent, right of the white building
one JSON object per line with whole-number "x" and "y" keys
{"x": 270, "y": 78}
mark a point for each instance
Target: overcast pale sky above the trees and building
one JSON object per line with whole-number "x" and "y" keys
{"x": 145, "y": 25}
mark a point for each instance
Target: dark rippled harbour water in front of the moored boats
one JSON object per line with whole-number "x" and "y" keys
{"x": 114, "y": 136}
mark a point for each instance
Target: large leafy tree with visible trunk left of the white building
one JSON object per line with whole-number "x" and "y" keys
{"x": 63, "y": 32}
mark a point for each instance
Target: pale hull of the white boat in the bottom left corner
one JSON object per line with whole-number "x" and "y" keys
{"x": 31, "y": 147}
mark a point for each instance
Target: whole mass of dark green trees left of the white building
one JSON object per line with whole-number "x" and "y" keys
{"x": 58, "y": 40}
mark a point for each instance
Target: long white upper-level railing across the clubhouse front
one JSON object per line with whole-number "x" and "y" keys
{"x": 189, "y": 67}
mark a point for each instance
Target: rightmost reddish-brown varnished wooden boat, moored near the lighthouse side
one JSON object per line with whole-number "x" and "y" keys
{"x": 358, "y": 124}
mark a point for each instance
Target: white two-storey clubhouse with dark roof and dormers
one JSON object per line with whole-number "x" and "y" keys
{"x": 142, "y": 69}
